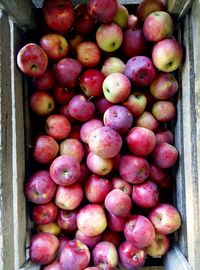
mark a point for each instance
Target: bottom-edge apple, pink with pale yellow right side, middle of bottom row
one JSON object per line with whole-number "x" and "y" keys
{"x": 105, "y": 256}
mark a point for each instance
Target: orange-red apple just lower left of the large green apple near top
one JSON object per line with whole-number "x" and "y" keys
{"x": 88, "y": 54}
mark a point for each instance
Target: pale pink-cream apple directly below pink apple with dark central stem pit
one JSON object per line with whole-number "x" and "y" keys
{"x": 70, "y": 197}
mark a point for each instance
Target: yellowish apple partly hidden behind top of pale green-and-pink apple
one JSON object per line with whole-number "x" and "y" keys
{"x": 113, "y": 65}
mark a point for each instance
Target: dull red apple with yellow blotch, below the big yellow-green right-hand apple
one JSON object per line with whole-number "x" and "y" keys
{"x": 163, "y": 86}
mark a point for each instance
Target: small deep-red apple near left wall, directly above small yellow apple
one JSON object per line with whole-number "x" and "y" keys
{"x": 44, "y": 213}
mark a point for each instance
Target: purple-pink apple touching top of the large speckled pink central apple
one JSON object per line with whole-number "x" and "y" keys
{"x": 118, "y": 118}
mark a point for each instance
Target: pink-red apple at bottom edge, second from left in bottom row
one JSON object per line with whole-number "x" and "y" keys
{"x": 74, "y": 256}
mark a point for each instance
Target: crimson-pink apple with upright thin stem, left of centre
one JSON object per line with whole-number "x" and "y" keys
{"x": 81, "y": 109}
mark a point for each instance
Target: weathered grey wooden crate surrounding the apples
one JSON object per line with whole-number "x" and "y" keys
{"x": 15, "y": 18}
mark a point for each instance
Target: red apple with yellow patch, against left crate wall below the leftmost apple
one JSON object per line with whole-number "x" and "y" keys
{"x": 41, "y": 103}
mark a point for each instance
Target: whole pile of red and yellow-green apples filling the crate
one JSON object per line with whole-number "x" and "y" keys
{"x": 102, "y": 105}
